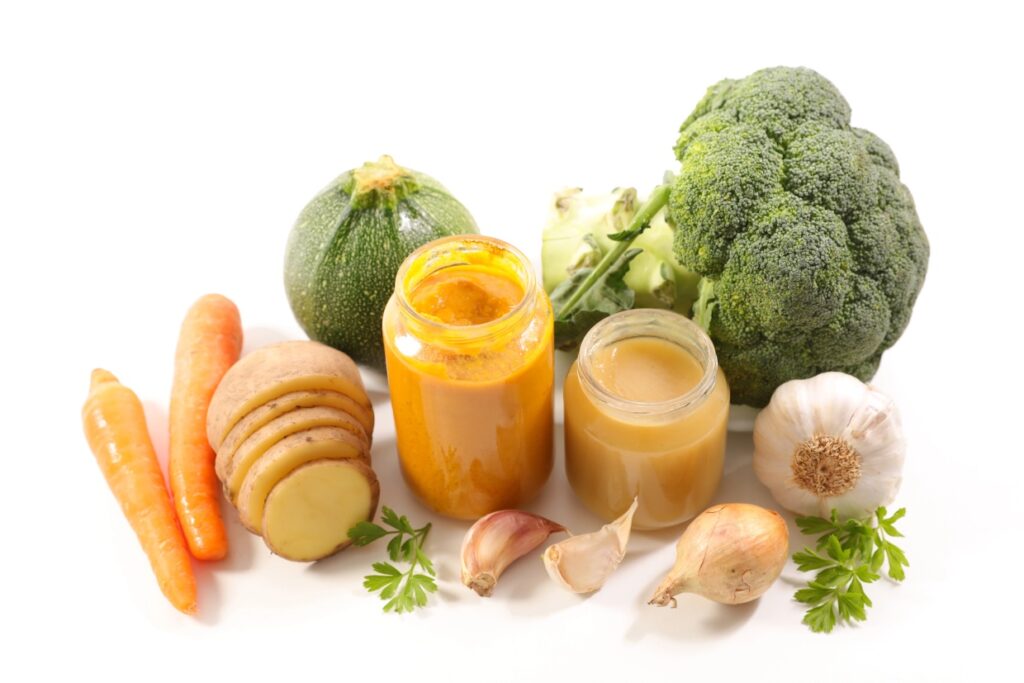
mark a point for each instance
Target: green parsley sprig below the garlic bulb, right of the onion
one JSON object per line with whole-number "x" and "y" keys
{"x": 848, "y": 556}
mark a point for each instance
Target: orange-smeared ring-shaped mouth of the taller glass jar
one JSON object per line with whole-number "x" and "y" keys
{"x": 456, "y": 251}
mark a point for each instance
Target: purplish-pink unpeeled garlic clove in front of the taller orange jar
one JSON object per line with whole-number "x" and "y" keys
{"x": 497, "y": 541}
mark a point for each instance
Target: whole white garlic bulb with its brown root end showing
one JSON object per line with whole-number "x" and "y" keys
{"x": 830, "y": 443}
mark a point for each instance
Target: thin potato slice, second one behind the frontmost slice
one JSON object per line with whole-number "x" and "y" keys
{"x": 236, "y": 466}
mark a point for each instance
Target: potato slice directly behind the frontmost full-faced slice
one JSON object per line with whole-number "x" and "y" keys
{"x": 286, "y": 456}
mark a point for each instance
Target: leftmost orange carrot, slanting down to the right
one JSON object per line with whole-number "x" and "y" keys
{"x": 115, "y": 428}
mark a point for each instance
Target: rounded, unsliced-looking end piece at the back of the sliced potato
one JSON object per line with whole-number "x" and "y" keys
{"x": 275, "y": 371}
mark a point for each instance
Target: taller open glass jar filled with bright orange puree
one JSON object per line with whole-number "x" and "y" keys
{"x": 470, "y": 346}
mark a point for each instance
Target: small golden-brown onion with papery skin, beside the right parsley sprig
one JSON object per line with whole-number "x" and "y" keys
{"x": 731, "y": 553}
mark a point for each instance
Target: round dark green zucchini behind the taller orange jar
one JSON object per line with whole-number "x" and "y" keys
{"x": 348, "y": 244}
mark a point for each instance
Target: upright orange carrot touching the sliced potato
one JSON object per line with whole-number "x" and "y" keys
{"x": 210, "y": 343}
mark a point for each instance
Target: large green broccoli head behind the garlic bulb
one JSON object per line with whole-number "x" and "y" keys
{"x": 810, "y": 246}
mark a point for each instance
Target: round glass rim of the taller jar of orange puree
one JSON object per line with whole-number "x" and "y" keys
{"x": 478, "y": 332}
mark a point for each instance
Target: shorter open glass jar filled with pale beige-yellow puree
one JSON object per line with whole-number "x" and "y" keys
{"x": 647, "y": 414}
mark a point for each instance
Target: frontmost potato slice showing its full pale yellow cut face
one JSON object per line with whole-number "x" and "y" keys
{"x": 309, "y": 514}
